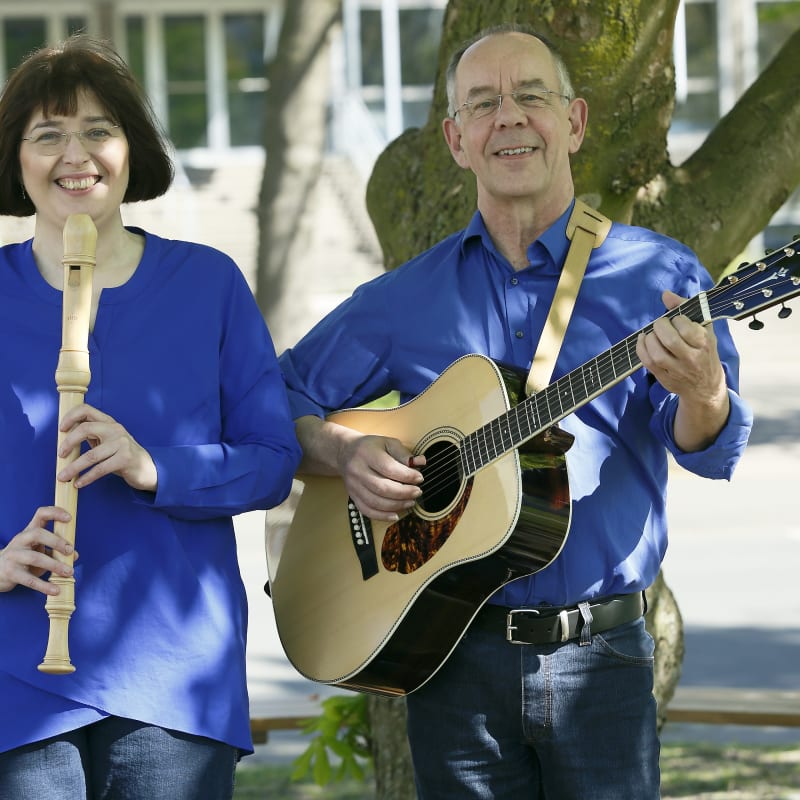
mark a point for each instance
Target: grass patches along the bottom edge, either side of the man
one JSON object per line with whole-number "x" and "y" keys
{"x": 688, "y": 771}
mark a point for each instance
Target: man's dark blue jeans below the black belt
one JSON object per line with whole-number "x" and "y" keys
{"x": 539, "y": 722}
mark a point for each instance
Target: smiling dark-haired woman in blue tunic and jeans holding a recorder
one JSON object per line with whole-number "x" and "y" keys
{"x": 185, "y": 424}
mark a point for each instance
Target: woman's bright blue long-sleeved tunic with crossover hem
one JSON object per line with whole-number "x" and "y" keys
{"x": 181, "y": 357}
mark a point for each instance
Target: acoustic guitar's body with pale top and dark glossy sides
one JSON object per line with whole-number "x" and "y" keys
{"x": 378, "y": 607}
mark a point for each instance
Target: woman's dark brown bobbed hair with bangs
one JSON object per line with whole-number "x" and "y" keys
{"x": 50, "y": 80}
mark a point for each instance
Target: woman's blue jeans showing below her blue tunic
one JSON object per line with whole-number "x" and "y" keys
{"x": 119, "y": 759}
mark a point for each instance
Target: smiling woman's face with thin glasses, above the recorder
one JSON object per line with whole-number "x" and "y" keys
{"x": 76, "y": 174}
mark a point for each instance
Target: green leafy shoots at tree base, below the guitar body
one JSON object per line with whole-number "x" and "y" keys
{"x": 341, "y": 731}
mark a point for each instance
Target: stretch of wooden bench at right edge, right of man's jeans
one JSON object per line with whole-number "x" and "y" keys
{"x": 715, "y": 705}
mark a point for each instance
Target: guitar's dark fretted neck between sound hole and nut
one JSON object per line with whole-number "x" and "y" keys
{"x": 573, "y": 390}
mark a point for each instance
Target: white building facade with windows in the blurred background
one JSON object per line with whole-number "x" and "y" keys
{"x": 203, "y": 64}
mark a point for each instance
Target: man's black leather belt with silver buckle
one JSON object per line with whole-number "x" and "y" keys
{"x": 552, "y": 624}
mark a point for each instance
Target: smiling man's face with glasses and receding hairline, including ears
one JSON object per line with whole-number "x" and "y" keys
{"x": 518, "y": 151}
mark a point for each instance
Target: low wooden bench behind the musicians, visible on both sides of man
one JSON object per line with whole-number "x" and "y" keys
{"x": 711, "y": 705}
